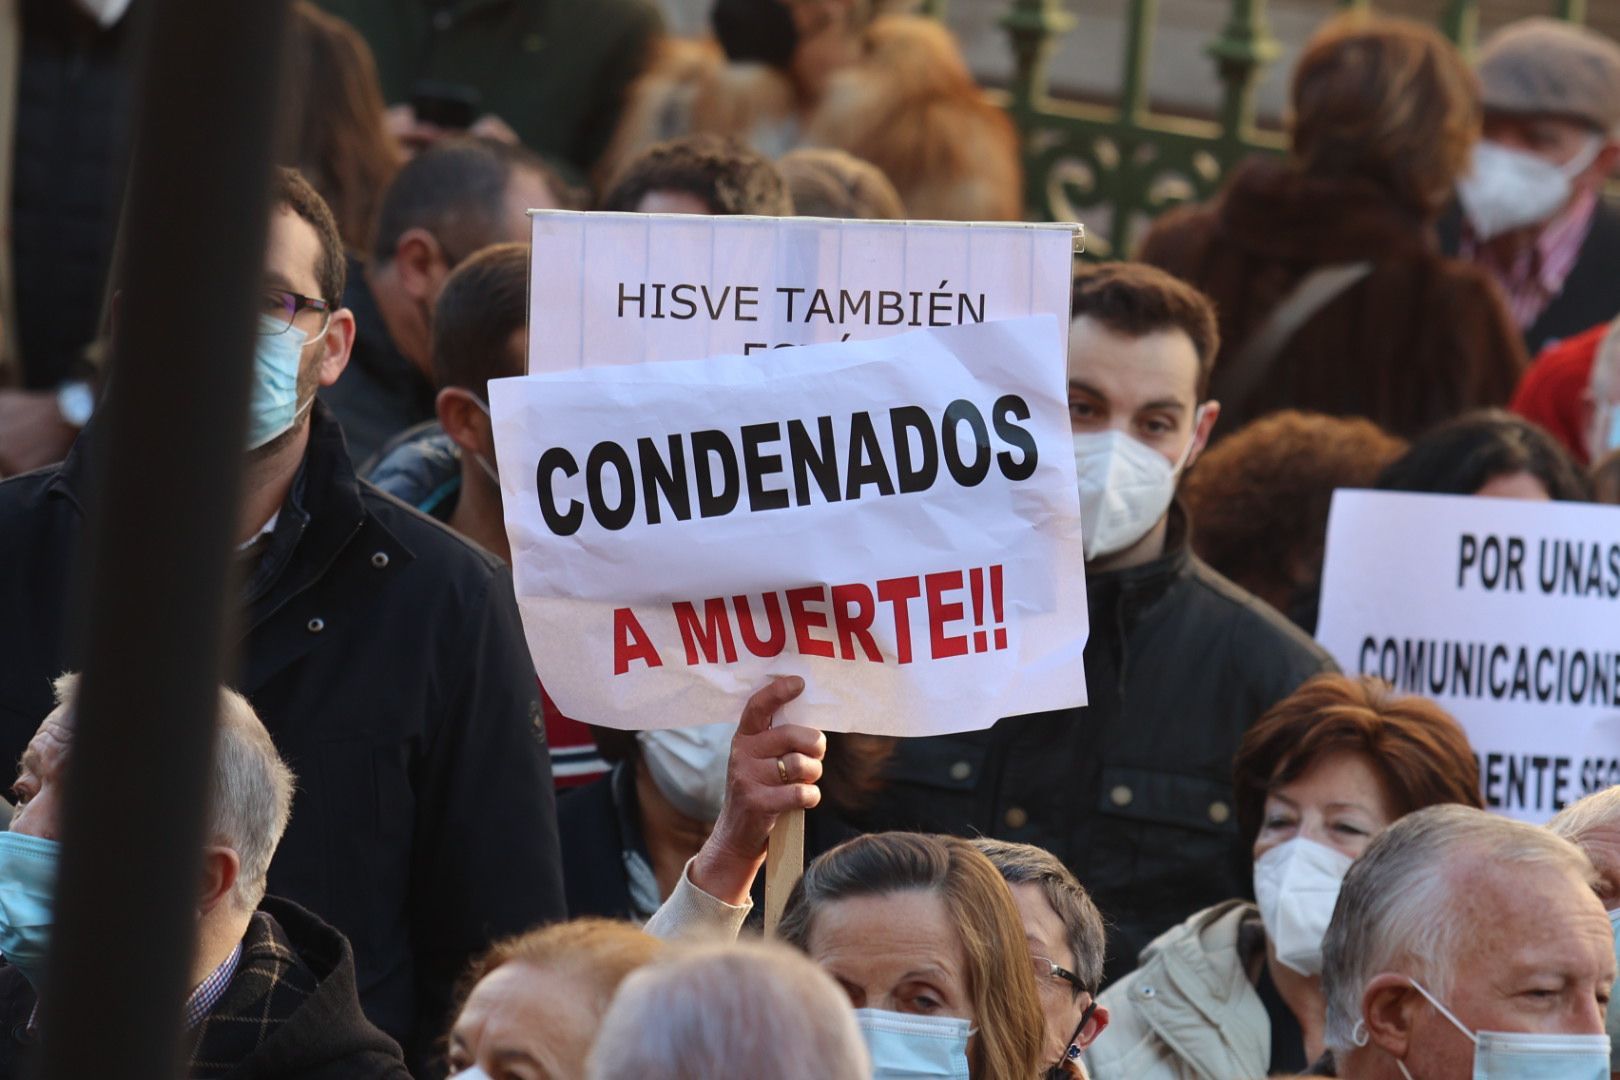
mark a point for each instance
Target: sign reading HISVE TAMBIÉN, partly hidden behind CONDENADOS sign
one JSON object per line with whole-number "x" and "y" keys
{"x": 626, "y": 289}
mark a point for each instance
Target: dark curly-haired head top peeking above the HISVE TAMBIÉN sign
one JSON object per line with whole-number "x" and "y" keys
{"x": 701, "y": 174}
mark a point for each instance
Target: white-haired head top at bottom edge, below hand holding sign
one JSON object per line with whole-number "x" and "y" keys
{"x": 730, "y": 1013}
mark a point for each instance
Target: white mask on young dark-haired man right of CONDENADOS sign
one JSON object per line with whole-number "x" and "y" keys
{"x": 1125, "y": 488}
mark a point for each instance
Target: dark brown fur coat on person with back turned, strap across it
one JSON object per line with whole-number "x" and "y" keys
{"x": 1415, "y": 342}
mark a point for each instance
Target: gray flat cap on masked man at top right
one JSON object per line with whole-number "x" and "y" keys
{"x": 1553, "y": 67}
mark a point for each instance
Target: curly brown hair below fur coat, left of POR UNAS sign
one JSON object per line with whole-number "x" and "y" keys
{"x": 1261, "y": 496}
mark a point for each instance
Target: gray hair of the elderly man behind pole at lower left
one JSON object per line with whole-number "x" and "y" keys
{"x": 250, "y": 789}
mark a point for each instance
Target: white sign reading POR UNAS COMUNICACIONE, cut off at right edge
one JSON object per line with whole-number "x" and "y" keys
{"x": 1507, "y": 613}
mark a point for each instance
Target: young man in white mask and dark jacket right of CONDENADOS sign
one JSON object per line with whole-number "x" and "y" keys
{"x": 1135, "y": 791}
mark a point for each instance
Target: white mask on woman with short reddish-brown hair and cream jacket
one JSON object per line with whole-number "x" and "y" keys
{"x": 1297, "y": 887}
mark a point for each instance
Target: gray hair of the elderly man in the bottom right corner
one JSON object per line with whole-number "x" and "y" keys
{"x": 1396, "y": 909}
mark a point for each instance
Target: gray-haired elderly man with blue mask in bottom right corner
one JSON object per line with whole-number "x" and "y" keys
{"x": 1467, "y": 945}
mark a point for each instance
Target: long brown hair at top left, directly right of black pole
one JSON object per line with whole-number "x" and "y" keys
{"x": 336, "y": 129}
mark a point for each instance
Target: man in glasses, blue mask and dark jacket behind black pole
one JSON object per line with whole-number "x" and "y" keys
{"x": 383, "y": 653}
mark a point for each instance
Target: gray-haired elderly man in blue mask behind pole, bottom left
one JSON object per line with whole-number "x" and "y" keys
{"x": 273, "y": 985}
